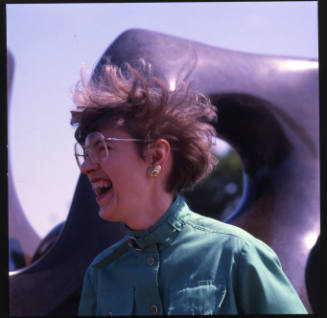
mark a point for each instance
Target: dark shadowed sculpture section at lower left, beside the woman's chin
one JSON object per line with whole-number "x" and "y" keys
{"x": 45, "y": 285}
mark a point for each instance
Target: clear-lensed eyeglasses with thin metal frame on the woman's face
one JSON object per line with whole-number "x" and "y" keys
{"x": 95, "y": 148}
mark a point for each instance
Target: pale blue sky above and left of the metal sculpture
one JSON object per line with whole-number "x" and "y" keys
{"x": 51, "y": 41}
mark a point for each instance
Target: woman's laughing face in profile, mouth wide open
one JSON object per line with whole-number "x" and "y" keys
{"x": 124, "y": 175}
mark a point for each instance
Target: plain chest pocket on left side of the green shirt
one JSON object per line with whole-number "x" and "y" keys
{"x": 119, "y": 303}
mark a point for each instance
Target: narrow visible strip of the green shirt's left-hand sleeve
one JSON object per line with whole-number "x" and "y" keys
{"x": 87, "y": 305}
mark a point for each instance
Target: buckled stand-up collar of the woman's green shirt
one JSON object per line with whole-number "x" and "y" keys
{"x": 165, "y": 230}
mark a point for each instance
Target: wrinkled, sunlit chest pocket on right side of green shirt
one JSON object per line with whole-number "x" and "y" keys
{"x": 203, "y": 298}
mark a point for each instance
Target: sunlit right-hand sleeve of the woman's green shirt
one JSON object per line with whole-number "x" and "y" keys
{"x": 263, "y": 287}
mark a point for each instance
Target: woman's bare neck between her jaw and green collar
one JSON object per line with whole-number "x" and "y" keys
{"x": 155, "y": 209}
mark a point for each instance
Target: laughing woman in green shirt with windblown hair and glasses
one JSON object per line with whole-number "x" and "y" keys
{"x": 140, "y": 144}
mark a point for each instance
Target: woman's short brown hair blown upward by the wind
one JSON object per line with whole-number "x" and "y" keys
{"x": 146, "y": 108}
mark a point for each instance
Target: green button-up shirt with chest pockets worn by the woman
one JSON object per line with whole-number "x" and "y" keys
{"x": 187, "y": 264}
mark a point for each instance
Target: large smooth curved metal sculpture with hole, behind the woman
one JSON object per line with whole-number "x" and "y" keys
{"x": 268, "y": 112}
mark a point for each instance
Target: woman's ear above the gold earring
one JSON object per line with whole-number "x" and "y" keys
{"x": 158, "y": 152}
